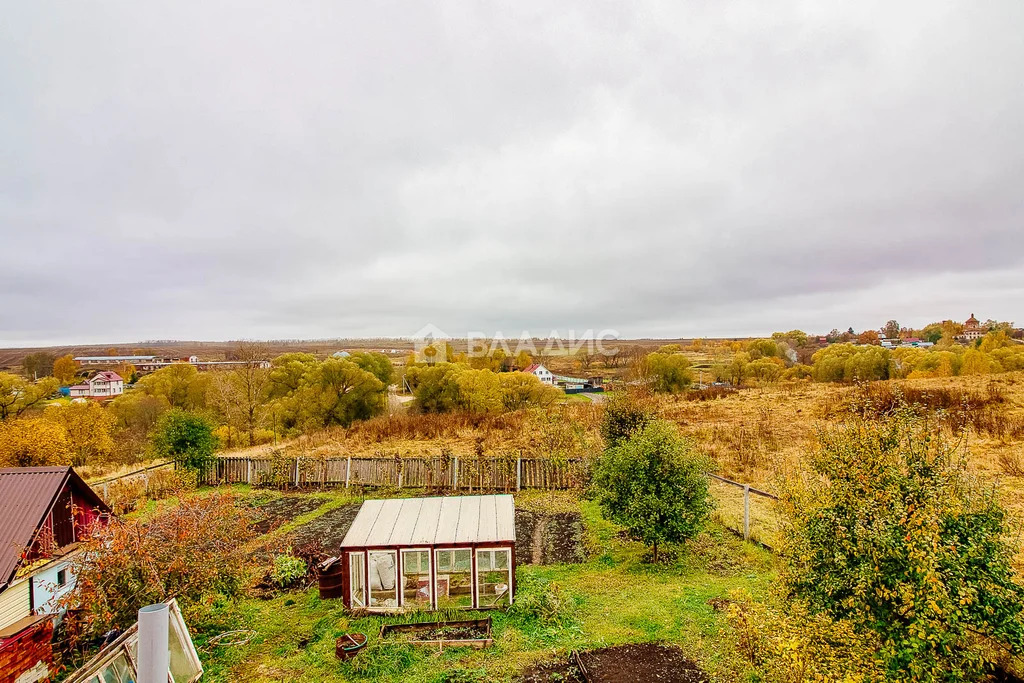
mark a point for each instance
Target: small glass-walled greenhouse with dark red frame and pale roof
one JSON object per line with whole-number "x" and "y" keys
{"x": 431, "y": 553}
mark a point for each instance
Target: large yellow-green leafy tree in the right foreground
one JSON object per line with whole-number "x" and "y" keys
{"x": 889, "y": 530}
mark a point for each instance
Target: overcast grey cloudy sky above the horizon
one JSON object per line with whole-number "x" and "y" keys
{"x": 250, "y": 169}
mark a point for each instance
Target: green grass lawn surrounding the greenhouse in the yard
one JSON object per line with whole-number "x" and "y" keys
{"x": 615, "y": 599}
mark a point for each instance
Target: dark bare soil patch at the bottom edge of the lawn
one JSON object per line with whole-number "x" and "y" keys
{"x": 624, "y": 664}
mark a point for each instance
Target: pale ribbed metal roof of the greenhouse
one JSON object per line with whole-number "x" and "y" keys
{"x": 434, "y": 522}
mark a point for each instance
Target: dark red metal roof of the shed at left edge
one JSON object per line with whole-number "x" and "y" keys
{"x": 27, "y": 495}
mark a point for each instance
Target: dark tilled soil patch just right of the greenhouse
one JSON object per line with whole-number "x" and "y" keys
{"x": 549, "y": 539}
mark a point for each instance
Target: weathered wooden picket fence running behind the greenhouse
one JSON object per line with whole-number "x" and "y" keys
{"x": 439, "y": 474}
